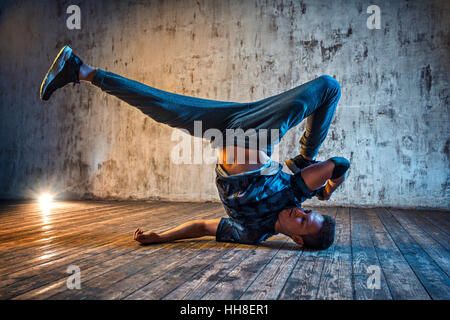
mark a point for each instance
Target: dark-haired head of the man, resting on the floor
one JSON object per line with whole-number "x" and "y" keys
{"x": 307, "y": 228}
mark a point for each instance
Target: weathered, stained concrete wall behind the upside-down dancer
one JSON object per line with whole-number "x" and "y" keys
{"x": 392, "y": 120}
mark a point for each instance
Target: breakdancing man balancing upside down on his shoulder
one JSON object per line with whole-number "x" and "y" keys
{"x": 259, "y": 198}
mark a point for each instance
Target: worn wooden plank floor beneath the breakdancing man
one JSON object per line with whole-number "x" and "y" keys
{"x": 409, "y": 250}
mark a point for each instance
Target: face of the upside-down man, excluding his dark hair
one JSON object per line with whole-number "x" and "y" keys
{"x": 301, "y": 222}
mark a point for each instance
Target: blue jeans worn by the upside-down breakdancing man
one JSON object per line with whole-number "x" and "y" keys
{"x": 315, "y": 100}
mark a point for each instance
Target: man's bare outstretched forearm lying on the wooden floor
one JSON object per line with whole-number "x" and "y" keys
{"x": 191, "y": 229}
